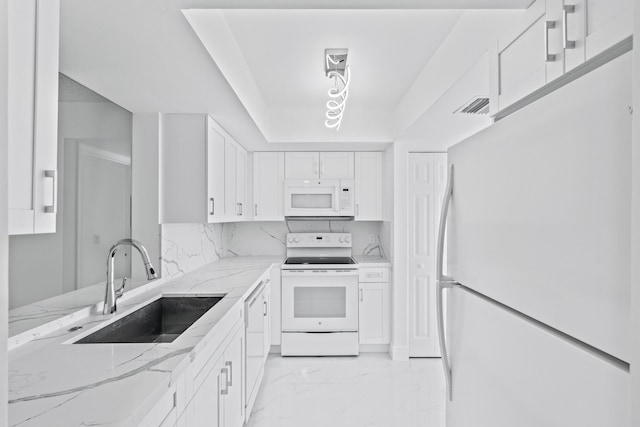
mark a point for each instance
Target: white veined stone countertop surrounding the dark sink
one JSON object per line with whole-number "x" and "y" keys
{"x": 55, "y": 383}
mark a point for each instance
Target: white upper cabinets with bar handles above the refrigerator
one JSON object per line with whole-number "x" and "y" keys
{"x": 553, "y": 38}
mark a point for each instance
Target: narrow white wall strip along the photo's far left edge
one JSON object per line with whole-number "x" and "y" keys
{"x": 4, "y": 273}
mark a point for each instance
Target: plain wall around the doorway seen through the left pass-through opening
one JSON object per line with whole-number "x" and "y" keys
{"x": 104, "y": 125}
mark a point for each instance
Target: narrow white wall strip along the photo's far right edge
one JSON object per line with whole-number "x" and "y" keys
{"x": 635, "y": 228}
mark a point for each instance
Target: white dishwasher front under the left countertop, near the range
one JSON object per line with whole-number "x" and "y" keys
{"x": 255, "y": 309}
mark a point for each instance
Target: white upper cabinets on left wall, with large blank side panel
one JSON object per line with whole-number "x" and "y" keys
{"x": 202, "y": 171}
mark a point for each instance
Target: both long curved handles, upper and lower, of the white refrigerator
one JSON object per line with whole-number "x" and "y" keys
{"x": 444, "y": 282}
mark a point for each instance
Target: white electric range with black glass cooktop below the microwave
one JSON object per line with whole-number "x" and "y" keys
{"x": 319, "y": 296}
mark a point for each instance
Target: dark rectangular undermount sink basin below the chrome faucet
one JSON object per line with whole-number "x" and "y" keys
{"x": 160, "y": 321}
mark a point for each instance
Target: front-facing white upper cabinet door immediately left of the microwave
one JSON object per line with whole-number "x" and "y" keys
{"x": 268, "y": 186}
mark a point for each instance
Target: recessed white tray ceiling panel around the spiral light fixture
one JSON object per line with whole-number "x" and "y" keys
{"x": 274, "y": 60}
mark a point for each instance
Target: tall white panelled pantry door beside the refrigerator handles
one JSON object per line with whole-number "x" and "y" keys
{"x": 427, "y": 180}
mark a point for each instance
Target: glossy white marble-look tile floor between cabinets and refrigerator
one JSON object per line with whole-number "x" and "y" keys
{"x": 366, "y": 391}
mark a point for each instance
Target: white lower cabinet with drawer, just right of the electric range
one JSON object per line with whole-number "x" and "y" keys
{"x": 373, "y": 313}
